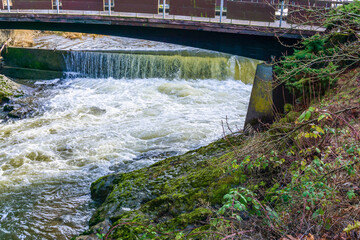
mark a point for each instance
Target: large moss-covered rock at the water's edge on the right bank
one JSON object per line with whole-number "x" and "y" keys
{"x": 171, "y": 193}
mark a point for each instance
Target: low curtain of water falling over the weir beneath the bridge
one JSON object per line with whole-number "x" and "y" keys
{"x": 142, "y": 65}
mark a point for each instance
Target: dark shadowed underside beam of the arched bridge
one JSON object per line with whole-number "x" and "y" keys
{"x": 238, "y": 40}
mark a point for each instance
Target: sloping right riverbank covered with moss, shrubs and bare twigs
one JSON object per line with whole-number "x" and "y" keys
{"x": 299, "y": 179}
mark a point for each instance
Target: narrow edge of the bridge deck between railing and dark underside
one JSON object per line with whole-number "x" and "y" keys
{"x": 157, "y": 21}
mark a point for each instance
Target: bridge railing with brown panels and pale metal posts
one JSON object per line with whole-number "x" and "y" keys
{"x": 272, "y": 13}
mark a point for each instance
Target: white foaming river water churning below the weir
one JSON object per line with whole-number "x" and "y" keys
{"x": 92, "y": 127}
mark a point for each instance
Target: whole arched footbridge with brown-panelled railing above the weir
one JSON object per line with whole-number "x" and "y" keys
{"x": 245, "y": 28}
